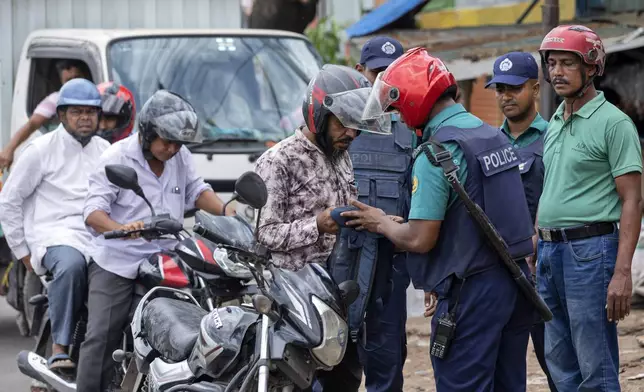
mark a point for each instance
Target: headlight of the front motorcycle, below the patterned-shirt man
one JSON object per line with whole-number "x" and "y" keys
{"x": 334, "y": 335}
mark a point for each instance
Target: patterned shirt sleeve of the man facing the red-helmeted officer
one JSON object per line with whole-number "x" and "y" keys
{"x": 274, "y": 232}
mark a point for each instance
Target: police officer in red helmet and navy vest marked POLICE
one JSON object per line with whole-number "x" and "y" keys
{"x": 484, "y": 319}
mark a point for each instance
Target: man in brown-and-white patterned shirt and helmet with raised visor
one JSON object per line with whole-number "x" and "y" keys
{"x": 308, "y": 175}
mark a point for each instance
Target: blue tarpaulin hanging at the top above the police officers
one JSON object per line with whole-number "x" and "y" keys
{"x": 383, "y": 16}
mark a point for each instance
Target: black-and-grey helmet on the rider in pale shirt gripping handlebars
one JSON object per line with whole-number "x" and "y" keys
{"x": 169, "y": 116}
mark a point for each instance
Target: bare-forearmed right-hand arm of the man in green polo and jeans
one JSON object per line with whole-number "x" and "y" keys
{"x": 624, "y": 156}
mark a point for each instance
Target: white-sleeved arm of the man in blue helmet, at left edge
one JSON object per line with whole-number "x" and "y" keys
{"x": 22, "y": 182}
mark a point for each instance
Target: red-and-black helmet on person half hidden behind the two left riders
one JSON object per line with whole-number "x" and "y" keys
{"x": 117, "y": 101}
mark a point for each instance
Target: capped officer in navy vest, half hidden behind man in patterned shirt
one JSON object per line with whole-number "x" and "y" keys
{"x": 382, "y": 166}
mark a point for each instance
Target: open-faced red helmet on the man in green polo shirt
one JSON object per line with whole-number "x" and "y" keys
{"x": 577, "y": 39}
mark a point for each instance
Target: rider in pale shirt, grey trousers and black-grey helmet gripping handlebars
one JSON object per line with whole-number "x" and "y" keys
{"x": 167, "y": 176}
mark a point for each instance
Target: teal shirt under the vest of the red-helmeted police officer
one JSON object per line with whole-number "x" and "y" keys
{"x": 431, "y": 193}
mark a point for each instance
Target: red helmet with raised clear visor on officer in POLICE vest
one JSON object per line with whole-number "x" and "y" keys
{"x": 412, "y": 84}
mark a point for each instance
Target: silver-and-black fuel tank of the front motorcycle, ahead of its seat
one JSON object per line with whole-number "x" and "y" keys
{"x": 221, "y": 339}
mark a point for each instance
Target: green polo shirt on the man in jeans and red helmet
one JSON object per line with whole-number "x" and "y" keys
{"x": 582, "y": 157}
